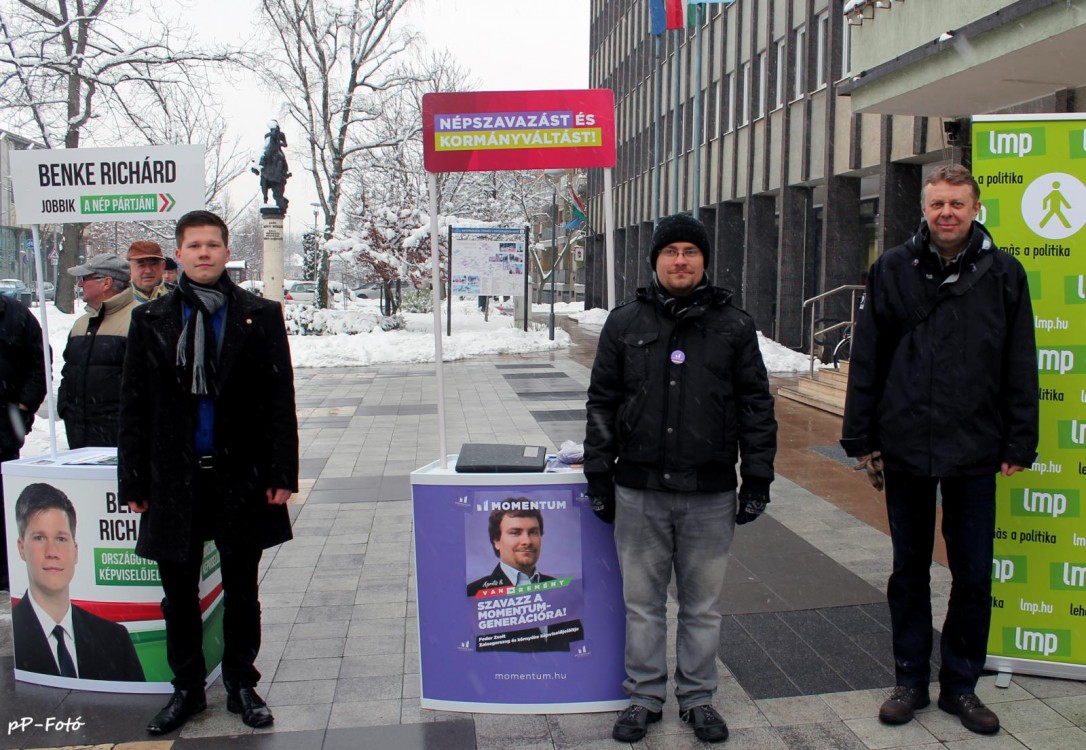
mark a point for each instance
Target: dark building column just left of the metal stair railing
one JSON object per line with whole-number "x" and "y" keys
{"x": 795, "y": 209}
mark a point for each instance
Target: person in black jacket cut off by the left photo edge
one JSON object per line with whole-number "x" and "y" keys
{"x": 22, "y": 391}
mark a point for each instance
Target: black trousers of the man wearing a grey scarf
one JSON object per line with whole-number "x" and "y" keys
{"x": 242, "y": 621}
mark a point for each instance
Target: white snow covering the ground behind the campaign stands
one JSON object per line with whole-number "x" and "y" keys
{"x": 473, "y": 337}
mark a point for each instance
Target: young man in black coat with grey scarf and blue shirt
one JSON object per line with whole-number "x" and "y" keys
{"x": 209, "y": 452}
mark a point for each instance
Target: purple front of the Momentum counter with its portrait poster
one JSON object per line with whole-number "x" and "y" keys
{"x": 520, "y": 599}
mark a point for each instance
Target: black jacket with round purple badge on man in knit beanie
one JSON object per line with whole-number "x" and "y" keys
{"x": 674, "y": 403}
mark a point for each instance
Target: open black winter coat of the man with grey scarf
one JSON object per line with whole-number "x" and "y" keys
{"x": 256, "y": 428}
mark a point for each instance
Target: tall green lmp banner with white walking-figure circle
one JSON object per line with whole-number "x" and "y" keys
{"x": 1031, "y": 171}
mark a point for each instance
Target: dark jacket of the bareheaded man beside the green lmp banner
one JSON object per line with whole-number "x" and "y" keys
{"x": 956, "y": 393}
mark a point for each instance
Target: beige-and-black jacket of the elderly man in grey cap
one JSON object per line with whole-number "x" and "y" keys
{"x": 90, "y": 397}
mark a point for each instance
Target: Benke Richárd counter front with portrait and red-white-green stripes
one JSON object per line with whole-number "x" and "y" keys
{"x": 72, "y": 564}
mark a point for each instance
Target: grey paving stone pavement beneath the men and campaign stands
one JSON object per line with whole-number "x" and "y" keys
{"x": 340, "y": 652}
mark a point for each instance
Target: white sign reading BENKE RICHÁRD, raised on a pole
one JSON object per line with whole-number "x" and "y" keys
{"x": 61, "y": 186}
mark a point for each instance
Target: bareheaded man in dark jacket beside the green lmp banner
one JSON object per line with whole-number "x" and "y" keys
{"x": 943, "y": 393}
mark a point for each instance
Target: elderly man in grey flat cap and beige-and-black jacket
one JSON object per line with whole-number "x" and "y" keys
{"x": 90, "y": 397}
